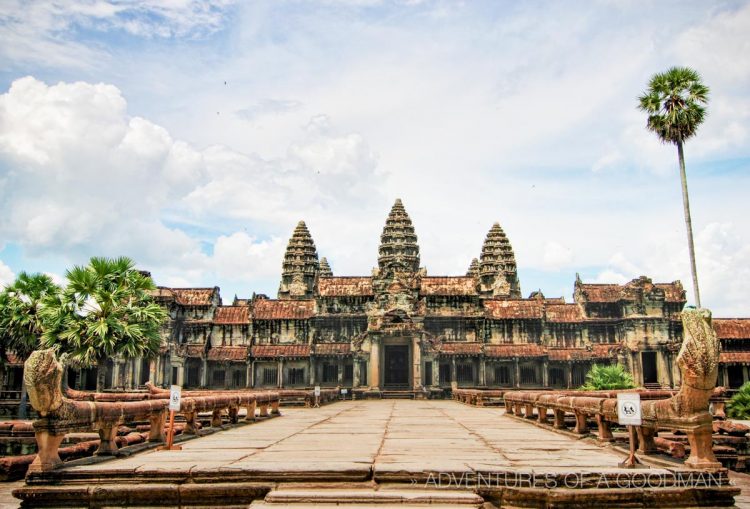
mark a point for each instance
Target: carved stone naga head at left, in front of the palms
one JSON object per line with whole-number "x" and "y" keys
{"x": 43, "y": 376}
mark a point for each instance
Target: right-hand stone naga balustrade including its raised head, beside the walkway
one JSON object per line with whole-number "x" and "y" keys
{"x": 686, "y": 411}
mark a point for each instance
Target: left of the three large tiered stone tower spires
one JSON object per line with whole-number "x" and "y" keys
{"x": 300, "y": 266}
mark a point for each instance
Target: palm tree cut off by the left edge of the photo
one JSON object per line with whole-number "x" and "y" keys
{"x": 21, "y": 319}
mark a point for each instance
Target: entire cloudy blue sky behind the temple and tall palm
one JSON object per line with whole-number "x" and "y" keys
{"x": 192, "y": 136}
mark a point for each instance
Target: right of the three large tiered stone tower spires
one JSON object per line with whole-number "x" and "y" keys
{"x": 497, "y": 266}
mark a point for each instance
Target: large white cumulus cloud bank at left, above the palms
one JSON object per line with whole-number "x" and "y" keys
{"x": 80, "y": 176}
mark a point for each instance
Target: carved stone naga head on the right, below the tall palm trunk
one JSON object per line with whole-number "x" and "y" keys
{"x": 699, "y": 356}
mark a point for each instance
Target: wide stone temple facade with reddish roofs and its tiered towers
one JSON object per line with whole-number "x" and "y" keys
{"x": 400, "y": 329}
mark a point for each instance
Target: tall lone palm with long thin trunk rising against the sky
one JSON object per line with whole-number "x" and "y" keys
{"x": 675, "y": 102}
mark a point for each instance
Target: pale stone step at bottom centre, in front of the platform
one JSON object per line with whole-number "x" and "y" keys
{"x": 360, "y": 497}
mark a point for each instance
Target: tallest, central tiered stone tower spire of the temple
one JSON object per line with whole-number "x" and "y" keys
{"x": 398, "y": 243}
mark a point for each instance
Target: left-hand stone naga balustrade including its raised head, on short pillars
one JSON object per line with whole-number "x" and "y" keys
{"x": 61, "y": 414}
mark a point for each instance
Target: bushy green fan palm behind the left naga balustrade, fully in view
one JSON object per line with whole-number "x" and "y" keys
{"x": 105, "y": 311}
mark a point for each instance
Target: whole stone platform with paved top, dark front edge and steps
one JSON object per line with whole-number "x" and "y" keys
{"x": 380, "y": 452}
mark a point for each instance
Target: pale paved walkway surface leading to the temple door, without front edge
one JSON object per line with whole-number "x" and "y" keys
{"x": 384, "y": 436}
